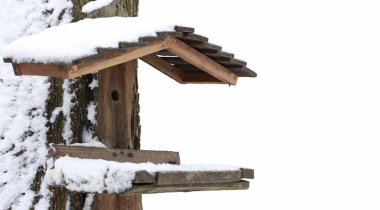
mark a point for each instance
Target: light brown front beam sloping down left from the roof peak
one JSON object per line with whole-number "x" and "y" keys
{"x": 108, "y": 61}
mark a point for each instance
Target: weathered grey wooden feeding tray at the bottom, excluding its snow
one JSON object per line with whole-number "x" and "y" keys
{"x": 188, "y": 181}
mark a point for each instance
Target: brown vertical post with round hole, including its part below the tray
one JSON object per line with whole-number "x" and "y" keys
{"x": 116, "y": 95}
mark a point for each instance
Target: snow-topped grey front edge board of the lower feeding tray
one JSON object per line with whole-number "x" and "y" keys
{"x": 197, "y": 177}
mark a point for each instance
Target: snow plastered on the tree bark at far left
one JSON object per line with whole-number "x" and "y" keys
{"x": 22, "y": 101}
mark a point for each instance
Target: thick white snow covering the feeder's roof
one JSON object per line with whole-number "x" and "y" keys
{"x": 65, "y": 43}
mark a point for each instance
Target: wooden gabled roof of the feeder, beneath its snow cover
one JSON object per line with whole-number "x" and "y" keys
{"x": 179, "y": 53}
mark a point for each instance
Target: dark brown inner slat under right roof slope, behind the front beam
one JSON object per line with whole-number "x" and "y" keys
{"x": 164, "y": 67}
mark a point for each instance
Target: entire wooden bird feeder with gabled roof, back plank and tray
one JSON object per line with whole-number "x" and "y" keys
{"x": 180, "y": 54}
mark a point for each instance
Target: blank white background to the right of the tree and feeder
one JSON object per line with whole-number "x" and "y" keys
{"x": 308, "y": 124}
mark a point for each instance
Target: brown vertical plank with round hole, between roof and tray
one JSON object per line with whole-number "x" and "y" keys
{"x": 115, "y": 105}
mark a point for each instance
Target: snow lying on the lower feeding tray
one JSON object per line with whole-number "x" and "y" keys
{"x": 100, "y": 175}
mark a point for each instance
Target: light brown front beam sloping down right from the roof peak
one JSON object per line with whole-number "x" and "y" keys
{"x": 201, "y": 61}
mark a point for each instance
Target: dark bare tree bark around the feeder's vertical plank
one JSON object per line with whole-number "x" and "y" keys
{"x": 82, "y": 95}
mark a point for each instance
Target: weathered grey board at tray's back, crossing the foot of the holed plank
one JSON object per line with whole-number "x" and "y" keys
{"x": 118, "y": 155}
